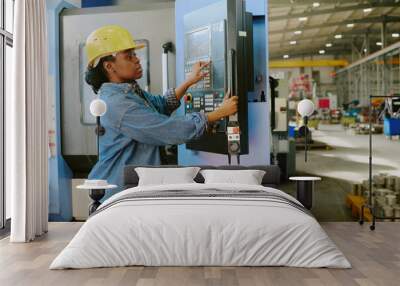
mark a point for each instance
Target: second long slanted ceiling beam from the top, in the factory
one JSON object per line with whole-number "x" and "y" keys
{"x": 381, "y": 19}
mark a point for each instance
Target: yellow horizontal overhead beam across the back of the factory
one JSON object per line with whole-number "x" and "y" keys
{"x": 275, "y": 64}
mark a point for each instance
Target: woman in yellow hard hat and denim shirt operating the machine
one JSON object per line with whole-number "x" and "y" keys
{"x": 137, "y": 123}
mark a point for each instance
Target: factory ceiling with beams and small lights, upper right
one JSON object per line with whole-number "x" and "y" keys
{"x": 340, "y": 28}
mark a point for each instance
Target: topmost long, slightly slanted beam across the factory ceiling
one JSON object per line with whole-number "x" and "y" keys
{"x": 338, "y": 9}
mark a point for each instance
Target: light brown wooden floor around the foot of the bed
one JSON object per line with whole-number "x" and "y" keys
{"x": 375, "y": 257}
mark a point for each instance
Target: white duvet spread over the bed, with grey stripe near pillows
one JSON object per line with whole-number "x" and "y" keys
{"x": 202, "y": 232}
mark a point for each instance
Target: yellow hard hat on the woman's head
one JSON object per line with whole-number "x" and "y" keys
{"x": 108, "y": 40}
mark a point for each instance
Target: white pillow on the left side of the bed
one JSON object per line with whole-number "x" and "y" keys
{"x": 164, "y": 176}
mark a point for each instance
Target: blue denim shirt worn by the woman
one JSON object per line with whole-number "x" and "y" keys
{"x": 135, "y": 128}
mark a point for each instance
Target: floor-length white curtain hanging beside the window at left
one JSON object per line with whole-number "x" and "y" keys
{"x": 27, "y": 145}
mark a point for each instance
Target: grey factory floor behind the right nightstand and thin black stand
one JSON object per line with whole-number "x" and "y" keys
{"x": 343, "y": 162}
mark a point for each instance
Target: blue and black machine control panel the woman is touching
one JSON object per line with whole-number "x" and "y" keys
{"x": 218, "y": 33}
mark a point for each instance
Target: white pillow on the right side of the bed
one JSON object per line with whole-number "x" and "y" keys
{"x": 248, "y": 177}
